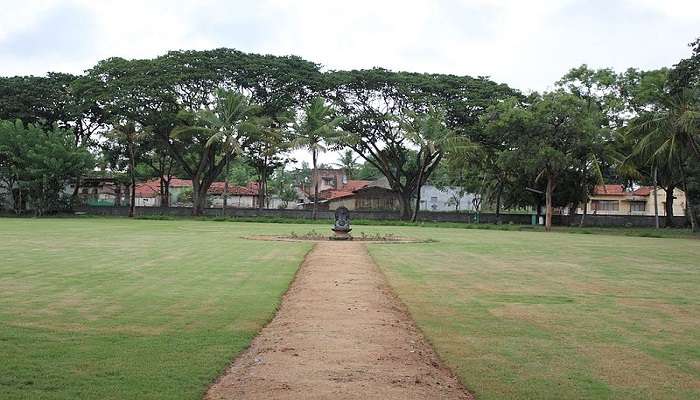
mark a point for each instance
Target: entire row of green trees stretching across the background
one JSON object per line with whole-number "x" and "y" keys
{"x": 194, "y": 114}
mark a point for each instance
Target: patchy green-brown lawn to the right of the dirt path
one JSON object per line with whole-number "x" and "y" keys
{"x": 530, "y": 315}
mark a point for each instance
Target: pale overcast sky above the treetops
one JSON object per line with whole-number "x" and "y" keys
{"x": 526, "y": 44}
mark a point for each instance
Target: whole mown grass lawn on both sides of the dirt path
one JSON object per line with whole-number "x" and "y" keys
{"x": 111, "y": 308}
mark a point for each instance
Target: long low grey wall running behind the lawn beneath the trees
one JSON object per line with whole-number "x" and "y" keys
{"x": 484, "y": 218}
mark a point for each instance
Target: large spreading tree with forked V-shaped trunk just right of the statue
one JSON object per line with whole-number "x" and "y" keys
{"x": 375, "y": 101}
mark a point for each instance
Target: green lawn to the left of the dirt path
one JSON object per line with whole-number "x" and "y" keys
{"x": 119, "y": 309}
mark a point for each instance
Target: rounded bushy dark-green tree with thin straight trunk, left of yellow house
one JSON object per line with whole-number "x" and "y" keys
{"x": 549, "y": 136}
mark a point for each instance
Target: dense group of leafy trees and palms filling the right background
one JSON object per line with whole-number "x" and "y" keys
{"x": 597, "y": 126}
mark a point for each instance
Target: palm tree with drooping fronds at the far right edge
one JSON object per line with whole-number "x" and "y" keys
{"x": 669, "y": 135}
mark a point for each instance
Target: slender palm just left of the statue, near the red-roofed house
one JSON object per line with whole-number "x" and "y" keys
{"x": 317, "y": 127}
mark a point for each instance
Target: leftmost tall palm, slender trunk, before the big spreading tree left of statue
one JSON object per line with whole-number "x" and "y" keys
{"x": 232, "y": 117}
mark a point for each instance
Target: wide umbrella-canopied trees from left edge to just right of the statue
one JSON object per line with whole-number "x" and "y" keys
{"x": 181, "y": 109}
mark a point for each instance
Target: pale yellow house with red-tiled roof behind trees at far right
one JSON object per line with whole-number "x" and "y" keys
{"x": 615, "y": 200}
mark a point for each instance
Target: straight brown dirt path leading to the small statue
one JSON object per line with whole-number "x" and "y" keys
{"x": 339, "y": 334}
